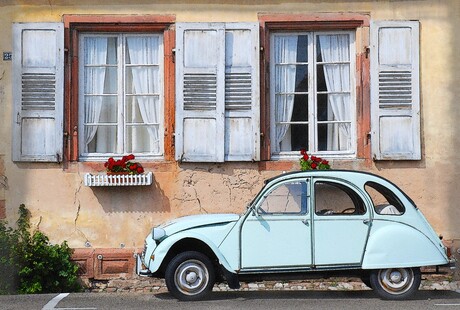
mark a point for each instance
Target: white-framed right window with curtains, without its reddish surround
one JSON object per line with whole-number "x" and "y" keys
{"x": 312, "y": 93}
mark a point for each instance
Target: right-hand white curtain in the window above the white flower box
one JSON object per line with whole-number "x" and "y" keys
{"x": 142, "y": 51}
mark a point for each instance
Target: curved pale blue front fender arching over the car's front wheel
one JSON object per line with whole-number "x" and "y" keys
{"x": 165, "y": 246}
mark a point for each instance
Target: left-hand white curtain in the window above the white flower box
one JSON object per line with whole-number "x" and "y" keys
{"x": 95, "y": 55}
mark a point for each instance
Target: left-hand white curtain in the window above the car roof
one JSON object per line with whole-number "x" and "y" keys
{"x": 285, "y": 53}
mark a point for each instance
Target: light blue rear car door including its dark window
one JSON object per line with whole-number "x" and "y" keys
{"x": 341, "y": 223}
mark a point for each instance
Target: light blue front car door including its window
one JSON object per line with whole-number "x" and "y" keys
{"x": 278, "y": 233}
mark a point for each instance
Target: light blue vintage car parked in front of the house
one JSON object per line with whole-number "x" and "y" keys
{"x": 300, "y": 225}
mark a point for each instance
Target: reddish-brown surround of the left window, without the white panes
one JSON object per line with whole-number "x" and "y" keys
{"x": 75, "y": 25}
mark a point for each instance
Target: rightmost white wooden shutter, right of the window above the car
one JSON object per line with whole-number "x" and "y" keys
{"x": 395, "y": 91}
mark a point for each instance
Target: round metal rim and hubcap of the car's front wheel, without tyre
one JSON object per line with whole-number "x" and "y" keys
{"x": 191, "y": 277}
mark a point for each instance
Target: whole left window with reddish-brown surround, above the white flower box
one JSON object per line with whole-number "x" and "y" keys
{"x": 119, "y": 87}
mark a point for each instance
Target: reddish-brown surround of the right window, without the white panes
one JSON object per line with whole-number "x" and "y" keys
{"x": 321, "y": 22}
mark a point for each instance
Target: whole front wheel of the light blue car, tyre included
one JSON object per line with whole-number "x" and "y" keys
{"x": 190, "y": 276}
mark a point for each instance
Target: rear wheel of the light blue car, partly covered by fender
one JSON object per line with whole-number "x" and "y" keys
{"x": 395, "y": 283}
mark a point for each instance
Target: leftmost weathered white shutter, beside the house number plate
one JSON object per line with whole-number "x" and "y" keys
{"x": 38, "y": 91}
